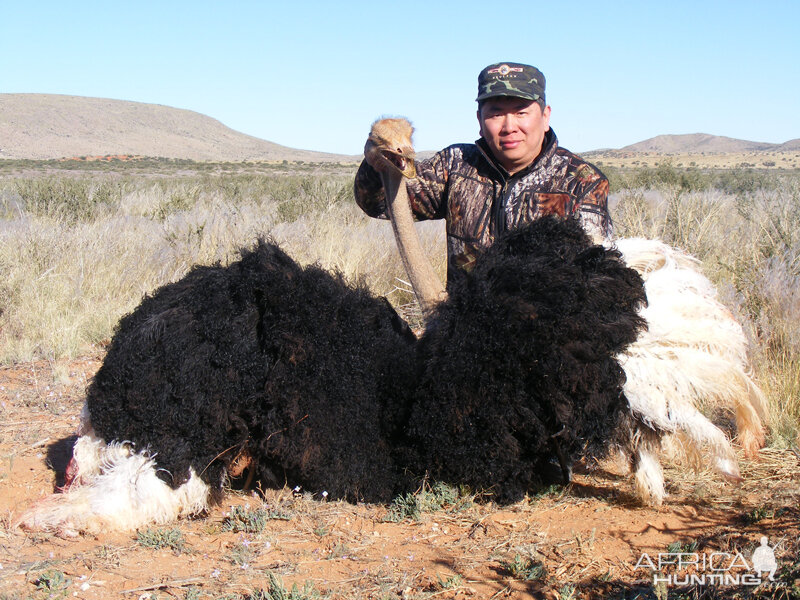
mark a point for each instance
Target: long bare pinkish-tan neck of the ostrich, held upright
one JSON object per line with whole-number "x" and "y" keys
{"x": 427, "y": 285}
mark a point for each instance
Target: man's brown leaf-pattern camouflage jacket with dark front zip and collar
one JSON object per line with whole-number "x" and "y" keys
{"x": 480, "y": 200}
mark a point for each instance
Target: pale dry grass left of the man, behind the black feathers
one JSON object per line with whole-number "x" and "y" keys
{"x": 69, "y": 279}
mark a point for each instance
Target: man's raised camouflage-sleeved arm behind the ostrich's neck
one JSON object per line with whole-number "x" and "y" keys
{"x": 425, "y": 191}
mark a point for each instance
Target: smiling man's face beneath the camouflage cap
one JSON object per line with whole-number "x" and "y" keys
{"x": 514, "y": 128}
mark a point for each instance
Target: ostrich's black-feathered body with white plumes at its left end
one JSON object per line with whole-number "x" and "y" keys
{"x": 309, "y": 381}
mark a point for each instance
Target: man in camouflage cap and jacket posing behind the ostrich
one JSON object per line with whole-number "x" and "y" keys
{"x": 513, "y": 174}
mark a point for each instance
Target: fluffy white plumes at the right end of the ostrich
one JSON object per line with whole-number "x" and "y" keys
{"x": 693, "y": 354}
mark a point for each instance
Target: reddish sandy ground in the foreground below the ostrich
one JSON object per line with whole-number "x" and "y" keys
{"x": 588, "y": 536}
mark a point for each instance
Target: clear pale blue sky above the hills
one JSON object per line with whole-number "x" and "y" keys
{"x": 314, "y": 75}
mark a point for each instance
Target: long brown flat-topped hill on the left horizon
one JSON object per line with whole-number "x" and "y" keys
{"x": 45, "y": 126}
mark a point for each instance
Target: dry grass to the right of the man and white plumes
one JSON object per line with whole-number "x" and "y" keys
{"x": 749, "y": 244}
